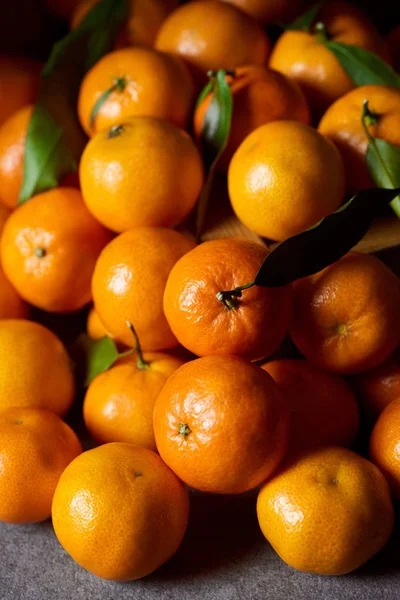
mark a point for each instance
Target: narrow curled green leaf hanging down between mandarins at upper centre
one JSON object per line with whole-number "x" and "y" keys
{"x": 214, "y": 136}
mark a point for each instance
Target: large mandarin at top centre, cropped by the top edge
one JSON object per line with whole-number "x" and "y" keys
{"x": 213, "y": 35}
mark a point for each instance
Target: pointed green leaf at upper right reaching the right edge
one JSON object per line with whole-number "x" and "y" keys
{"x": 363, "y": 67}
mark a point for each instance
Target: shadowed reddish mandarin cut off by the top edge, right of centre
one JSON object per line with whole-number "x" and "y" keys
{"x": 271, "y": 11}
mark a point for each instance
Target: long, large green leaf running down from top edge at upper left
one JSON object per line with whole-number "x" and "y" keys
{"x": 55, "y": 140}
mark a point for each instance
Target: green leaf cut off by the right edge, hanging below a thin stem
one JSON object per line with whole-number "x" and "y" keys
{"x": 383, "y": 162}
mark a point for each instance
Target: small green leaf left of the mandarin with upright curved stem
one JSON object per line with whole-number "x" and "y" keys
{"x": 97, "y": 355}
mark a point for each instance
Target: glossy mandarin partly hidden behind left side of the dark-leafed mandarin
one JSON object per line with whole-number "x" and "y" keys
{"x": 129, "y": 281}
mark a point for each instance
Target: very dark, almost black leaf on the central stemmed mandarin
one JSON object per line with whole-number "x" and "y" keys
{"x": 311, "y": 251}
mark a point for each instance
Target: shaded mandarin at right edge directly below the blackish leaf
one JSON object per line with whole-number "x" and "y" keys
{"x": 358, "y": 293}
